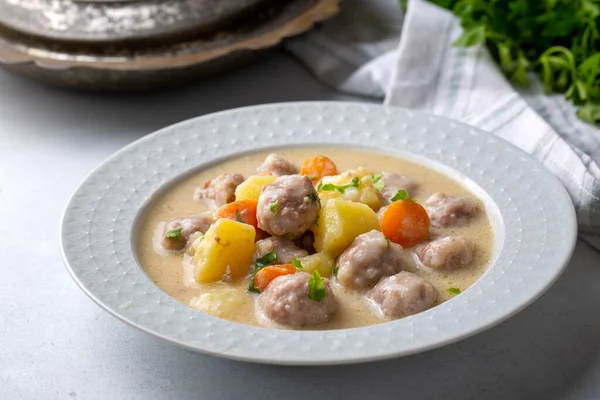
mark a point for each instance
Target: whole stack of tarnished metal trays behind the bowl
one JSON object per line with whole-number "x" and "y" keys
{"x": 142, "y": 44}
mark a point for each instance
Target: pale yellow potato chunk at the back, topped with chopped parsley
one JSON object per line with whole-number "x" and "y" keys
{"x": 365, "y": 193}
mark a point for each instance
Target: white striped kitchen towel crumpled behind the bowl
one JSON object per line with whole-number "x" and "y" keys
{"x": 371, "y": 50}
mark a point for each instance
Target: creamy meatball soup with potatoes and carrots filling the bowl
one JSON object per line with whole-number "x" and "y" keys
{"x": 353, "y": 238}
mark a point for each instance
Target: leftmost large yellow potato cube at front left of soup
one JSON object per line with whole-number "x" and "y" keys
{"x": 226, "y": 249}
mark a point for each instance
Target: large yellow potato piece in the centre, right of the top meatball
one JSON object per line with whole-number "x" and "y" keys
{"x": 340, "y": 221}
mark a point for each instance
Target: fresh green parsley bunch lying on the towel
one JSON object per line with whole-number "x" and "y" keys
{"x": 558, "y": 39}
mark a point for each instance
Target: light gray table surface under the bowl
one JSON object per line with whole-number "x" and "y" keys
{"x": 55, "y": 343}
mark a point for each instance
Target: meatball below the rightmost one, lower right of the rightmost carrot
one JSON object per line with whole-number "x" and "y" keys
{"x": 450, "y": 252}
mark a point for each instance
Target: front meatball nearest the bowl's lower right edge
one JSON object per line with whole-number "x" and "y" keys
{"x": 403, "y": 294}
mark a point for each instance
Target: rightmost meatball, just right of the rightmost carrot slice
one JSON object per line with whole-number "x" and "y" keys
{"x": 445, "y": 211}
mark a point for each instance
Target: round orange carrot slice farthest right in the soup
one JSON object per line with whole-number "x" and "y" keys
{"x": 405, "y": 222}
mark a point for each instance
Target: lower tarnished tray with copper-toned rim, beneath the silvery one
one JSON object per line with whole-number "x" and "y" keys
{"x": 142, "y": 66}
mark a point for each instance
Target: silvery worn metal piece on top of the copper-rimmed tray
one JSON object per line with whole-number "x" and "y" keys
{"x": 102, "y": 21}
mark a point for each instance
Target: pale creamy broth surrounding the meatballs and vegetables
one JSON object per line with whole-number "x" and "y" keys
{"x": 172, "y": 271}
